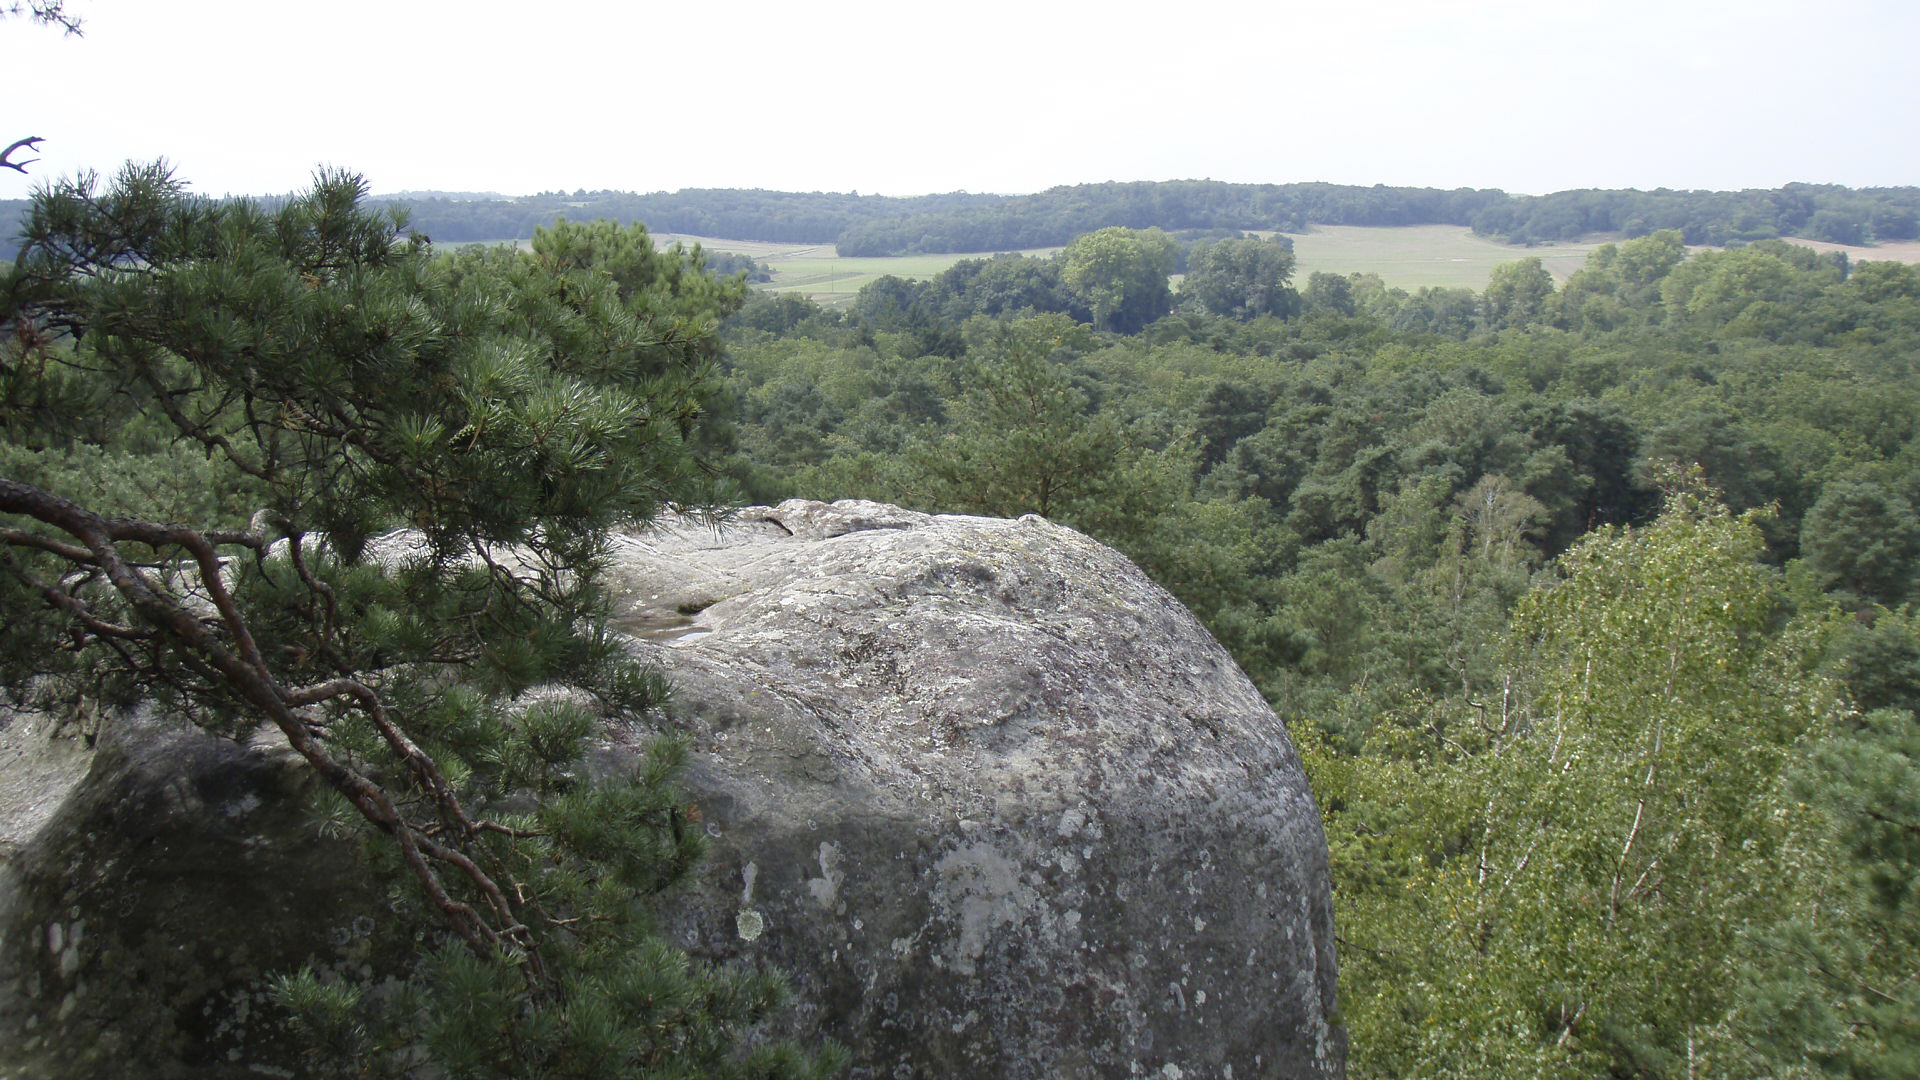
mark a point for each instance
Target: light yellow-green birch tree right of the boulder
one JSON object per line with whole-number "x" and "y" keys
{"x": 1560, "y": 875}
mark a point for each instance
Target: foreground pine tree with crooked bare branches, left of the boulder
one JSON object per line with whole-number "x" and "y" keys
{"x": 287, "y": 468}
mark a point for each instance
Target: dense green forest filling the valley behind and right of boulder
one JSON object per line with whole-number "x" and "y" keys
{"x": 1593, "y": 604}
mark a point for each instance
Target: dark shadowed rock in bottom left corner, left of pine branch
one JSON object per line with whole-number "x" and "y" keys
{"x": 151, "y": 879}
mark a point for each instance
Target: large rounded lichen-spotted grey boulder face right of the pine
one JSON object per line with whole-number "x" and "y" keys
{"x": 997, "y": 802}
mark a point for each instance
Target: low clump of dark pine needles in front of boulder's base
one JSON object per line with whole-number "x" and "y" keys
{"x": 621, "y": 1002}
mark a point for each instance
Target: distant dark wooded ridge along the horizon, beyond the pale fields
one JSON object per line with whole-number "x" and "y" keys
{"x": 961, "y": 222}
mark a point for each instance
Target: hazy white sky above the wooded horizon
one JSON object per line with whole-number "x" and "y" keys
{"x": 249, "y": 97}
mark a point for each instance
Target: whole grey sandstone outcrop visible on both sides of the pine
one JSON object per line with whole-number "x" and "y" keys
{"x": 994, "y": 800}
